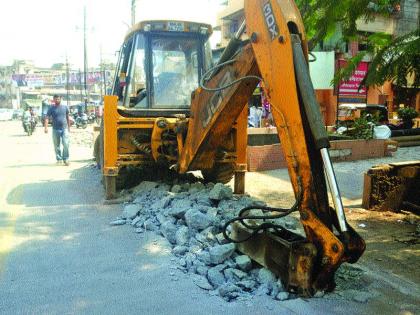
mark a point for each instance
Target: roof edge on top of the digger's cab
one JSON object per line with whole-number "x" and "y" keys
{"x": 170, "y": 26}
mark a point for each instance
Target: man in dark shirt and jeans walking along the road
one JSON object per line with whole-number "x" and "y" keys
{"x": 61, "y": 129}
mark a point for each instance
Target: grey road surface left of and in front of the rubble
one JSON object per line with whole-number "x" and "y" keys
{"x": 59, "y": 255}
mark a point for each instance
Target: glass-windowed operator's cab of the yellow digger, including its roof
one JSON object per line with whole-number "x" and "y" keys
{"x": 160, "y": 65}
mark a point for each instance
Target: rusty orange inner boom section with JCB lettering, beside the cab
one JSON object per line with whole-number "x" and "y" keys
{"x": 214, "y": 114}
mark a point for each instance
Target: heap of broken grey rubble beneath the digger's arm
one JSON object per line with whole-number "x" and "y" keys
{"x": 191, "y": 217}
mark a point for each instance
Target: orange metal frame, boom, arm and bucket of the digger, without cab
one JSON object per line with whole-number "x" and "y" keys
{"x": 214, "y": 133}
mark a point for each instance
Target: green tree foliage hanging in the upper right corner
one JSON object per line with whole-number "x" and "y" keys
{"x": 394, "y": 59}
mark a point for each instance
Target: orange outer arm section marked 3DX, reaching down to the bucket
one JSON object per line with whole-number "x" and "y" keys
{"x": 273, "y": 53}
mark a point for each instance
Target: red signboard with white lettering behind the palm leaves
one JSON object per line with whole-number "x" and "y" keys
{"x": 352, "y": 86}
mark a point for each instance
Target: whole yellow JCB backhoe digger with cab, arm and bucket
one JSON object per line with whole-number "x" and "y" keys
{"x": 173, "y": 108}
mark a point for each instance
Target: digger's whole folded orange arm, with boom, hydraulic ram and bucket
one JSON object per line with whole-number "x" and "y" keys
{"x": 277, "y": 54}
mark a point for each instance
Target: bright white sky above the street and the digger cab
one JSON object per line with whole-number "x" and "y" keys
{"x": 46, "y": 31}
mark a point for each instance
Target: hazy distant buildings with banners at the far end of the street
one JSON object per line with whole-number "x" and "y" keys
{"x": 23, "y": 84}
